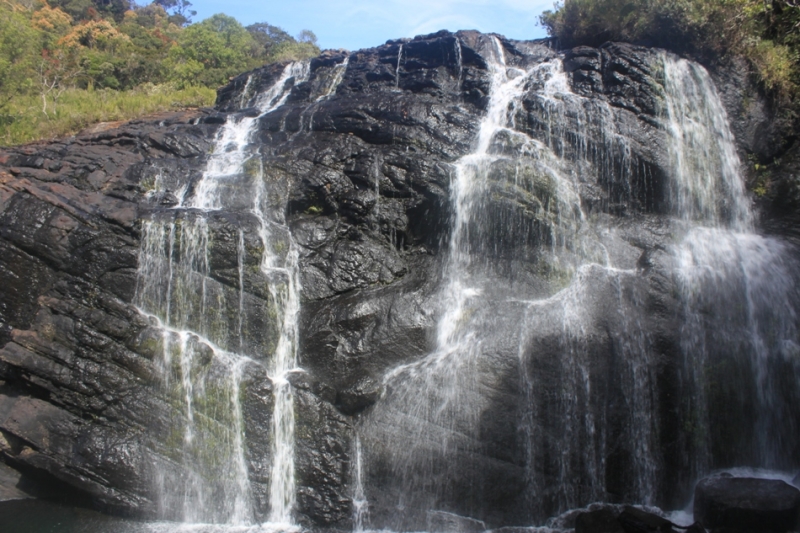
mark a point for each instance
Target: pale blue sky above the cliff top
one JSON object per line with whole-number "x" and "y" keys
{"x": 355, "y": 24}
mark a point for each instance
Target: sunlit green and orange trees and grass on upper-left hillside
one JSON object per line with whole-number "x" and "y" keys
{"x": 68, "y": 63}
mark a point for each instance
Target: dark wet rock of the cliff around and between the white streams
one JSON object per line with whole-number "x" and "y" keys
{"x": 364, "y": 169}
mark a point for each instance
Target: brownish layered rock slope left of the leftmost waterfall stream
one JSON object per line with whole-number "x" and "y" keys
{"x": 77, "y": 364}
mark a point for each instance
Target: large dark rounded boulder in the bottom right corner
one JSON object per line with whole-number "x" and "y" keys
{"x": 729, "y": 503}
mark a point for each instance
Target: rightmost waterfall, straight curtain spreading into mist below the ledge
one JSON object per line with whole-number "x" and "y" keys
{"x": 723, "y": 265}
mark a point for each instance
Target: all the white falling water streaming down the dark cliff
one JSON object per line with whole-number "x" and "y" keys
{"x": 426, "y": 429}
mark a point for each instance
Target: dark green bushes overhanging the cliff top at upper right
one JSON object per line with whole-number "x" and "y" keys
{"x": 766, "y": 32}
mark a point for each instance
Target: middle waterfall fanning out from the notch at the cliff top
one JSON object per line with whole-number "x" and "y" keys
{"x": 432, "y": 408}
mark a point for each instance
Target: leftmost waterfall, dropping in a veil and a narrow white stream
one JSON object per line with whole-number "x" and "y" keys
{"x": 213, "y": 335}
